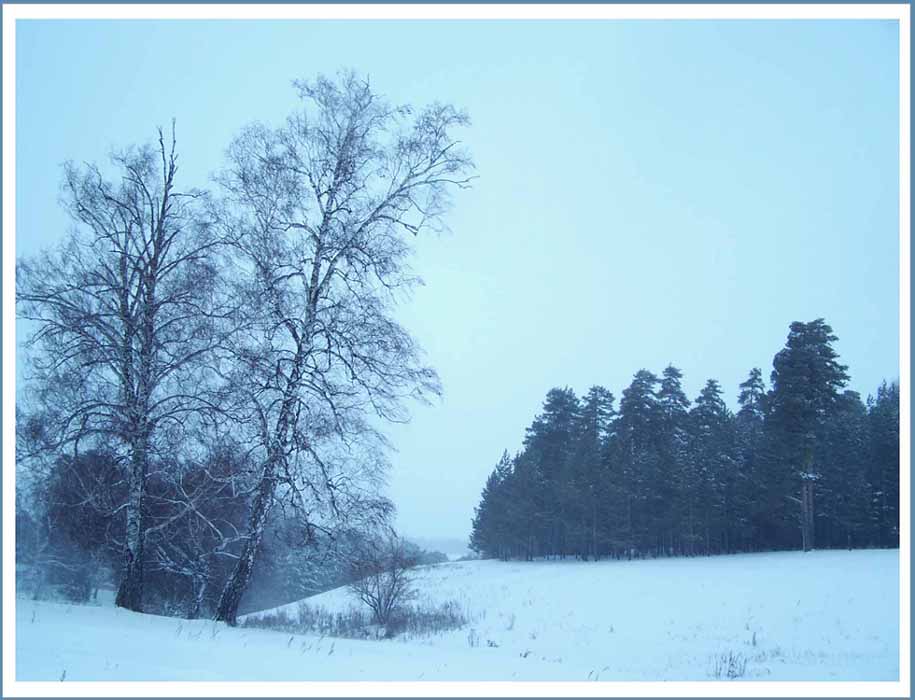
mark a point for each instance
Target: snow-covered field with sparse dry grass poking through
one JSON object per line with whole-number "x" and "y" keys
{"x": 780, "y": 616}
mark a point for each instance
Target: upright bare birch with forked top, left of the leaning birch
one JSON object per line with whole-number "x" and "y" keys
{"x": 122, "y": 319}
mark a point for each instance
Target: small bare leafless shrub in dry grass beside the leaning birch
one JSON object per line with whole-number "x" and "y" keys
{"x": 381, "y": 576}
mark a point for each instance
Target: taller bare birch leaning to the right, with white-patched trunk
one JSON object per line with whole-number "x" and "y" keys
{"x": 321, "y": 210}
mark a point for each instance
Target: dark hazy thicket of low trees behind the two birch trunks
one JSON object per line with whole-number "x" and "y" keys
{"x": 69, "y": 543}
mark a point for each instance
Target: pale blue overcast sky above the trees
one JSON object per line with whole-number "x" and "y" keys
{"x": 649, "y": 193}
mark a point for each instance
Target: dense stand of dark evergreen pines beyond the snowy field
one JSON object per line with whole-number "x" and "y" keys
{"x": 803, "y": 463}
